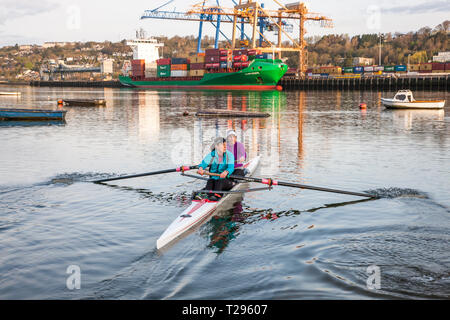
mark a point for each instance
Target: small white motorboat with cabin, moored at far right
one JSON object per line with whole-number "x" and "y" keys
{"x": 404, "y": 100}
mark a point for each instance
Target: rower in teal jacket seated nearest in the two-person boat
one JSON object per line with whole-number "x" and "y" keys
{"x": 220, "y": 161}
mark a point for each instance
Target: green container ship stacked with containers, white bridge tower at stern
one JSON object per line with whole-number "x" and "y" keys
{"x": 215, "y": 69}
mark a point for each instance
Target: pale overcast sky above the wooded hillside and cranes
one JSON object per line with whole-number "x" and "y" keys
{"x": 35, "y": 22}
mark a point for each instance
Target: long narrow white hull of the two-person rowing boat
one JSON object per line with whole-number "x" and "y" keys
{"x": 198, "y": 212}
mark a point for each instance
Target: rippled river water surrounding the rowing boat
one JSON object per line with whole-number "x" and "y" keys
{"x": 280, "y": 244}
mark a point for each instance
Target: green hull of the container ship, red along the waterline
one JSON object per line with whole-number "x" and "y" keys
{"x": 261, "y": 74}
